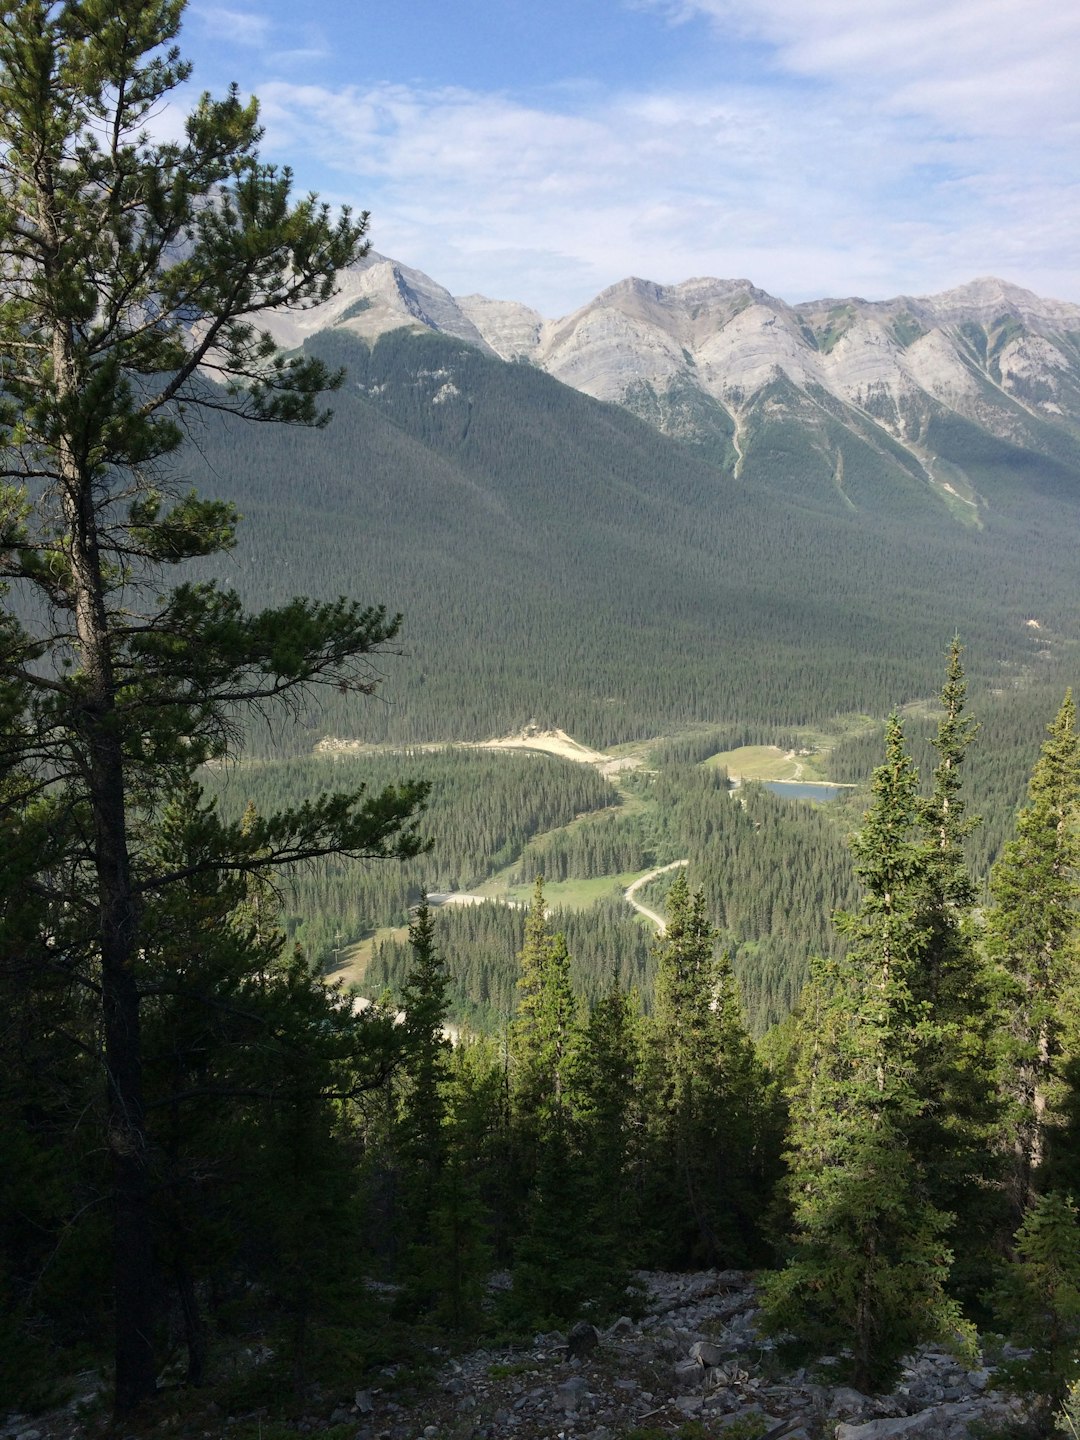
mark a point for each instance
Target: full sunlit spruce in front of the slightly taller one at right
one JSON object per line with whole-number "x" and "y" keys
{"x": 869, "y": 1266}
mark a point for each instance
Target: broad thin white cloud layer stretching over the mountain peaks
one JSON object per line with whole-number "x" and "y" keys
{"x": 886, "y": 146}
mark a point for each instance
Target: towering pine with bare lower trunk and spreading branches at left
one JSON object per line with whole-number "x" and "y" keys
{"x": 133, "y": 280}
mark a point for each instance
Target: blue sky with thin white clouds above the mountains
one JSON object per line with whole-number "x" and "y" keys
{"x": 541, "y": 150}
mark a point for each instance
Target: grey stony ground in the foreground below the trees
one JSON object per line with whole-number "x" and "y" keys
{"x": 692, "y": 1366}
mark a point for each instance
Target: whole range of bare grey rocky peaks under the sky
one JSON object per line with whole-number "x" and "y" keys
{"x": 906, "y": 390}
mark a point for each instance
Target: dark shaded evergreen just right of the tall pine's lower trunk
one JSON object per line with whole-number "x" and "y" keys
{"x": 250, "y": 1068}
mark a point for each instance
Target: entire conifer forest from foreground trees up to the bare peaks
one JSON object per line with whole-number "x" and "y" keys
{"x": 847, "y": 1059}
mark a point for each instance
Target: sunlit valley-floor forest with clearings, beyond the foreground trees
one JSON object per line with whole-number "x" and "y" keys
{"x": 774, "y": 872}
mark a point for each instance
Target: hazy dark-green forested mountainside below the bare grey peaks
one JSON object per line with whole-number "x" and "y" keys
{"x": 559, "y": 561}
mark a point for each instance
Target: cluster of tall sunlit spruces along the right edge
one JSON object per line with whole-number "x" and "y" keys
{"x": 932, "y": 1081}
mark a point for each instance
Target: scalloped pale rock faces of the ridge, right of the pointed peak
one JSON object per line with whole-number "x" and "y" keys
{"x": 976, "y": 351}
